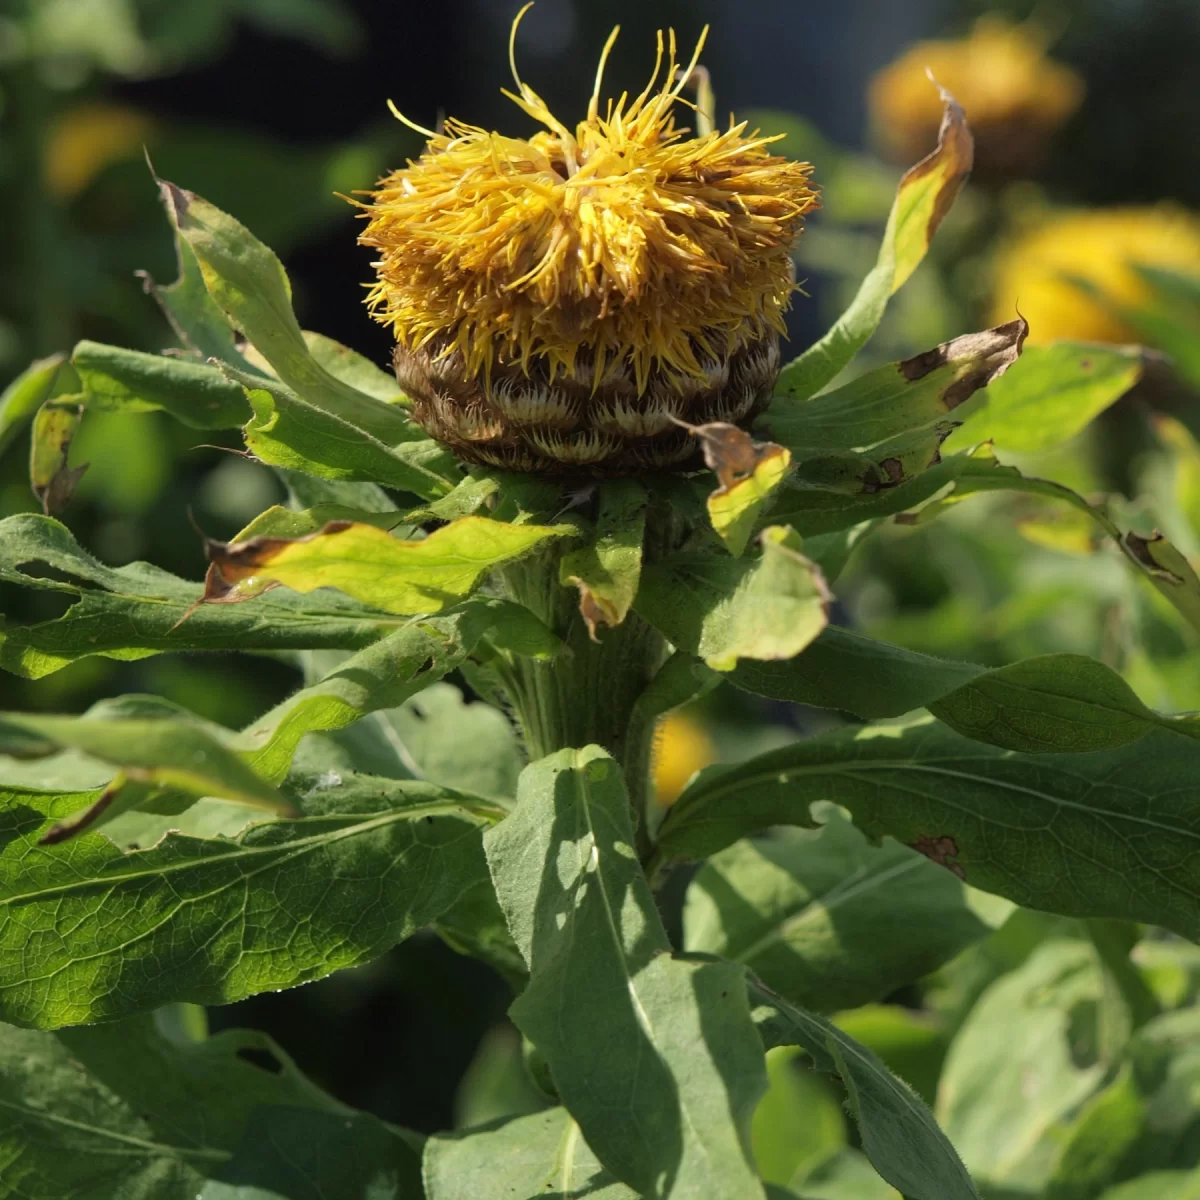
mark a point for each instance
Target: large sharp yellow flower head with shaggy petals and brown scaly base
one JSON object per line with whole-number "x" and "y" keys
{"x": 619, "y": 255}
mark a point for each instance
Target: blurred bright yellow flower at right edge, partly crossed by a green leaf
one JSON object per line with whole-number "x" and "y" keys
{"x": 1097, "y": 248}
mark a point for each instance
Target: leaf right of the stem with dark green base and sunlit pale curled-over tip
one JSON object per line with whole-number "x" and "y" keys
{"x": 728, "y": 609}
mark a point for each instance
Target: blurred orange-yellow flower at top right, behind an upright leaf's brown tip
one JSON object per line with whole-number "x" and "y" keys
{"x": 1013, "y": 95}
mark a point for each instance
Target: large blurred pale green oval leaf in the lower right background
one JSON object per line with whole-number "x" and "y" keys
{"x": 1024, "y": 1061}
